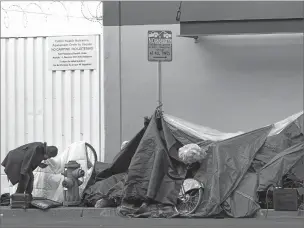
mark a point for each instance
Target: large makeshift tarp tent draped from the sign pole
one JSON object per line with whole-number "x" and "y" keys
{"x": 234, "y": 168}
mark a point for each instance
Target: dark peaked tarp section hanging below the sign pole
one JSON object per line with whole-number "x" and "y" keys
{"x": 148, "y": 157}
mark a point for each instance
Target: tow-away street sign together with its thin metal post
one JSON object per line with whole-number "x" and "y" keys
{"x": 159, "y": 50}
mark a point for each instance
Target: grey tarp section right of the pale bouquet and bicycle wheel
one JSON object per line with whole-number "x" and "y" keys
{"x": 230, "y": 162}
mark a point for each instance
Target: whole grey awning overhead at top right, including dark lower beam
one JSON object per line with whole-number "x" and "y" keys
{"x": 245, "y": 17}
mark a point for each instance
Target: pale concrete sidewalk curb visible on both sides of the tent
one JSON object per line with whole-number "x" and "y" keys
{"x": 78, "y": 212}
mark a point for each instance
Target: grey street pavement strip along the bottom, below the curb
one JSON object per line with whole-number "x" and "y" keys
{"x": 118, "y": 222}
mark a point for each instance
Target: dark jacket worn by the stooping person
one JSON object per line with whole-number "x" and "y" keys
{"x": 23, "y": 160}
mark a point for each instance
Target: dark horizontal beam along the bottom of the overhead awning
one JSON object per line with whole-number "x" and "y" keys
{"x": 233, "y": 27}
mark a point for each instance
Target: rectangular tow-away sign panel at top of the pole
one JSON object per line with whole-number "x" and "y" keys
{"x": 160, "y": 46}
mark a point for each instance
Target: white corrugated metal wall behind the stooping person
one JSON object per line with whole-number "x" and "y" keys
{"x": 59, "y": 107}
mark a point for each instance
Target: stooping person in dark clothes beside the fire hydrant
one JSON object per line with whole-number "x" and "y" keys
{"x": 20, "y": 163}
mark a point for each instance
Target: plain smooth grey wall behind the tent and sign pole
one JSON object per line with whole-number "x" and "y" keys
{"x": 229, "y": 83}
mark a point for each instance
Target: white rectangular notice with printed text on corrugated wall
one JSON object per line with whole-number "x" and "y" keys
{"x": 72, "y": 53}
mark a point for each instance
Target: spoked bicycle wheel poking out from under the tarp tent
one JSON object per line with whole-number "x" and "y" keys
{"x": 189, "y": 201}
